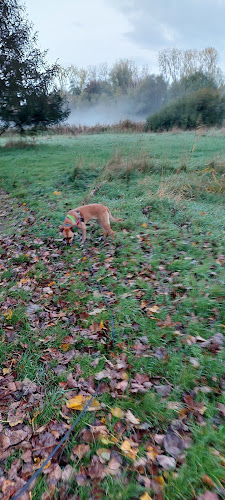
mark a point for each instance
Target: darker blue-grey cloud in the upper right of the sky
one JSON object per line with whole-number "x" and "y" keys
{"x": 156, "y": 24}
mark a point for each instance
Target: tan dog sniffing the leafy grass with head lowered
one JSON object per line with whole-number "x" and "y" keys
{"x": 81, "y": 215}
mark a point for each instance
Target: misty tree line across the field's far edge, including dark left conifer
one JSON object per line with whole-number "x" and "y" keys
{"x": 36, "y": 94}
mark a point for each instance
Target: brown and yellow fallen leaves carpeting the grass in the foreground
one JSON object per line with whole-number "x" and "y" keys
{"x": 116, "y": 440}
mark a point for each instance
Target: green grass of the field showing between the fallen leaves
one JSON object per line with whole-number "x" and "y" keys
{"x": 166, "y": 252}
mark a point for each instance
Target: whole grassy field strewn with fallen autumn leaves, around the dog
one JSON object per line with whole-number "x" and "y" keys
{"x": 155, "y": 429}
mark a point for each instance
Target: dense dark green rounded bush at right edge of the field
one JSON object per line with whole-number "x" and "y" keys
{"x": 204, "y": 107}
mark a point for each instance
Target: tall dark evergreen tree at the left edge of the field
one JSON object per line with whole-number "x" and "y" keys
{"x": 28, "y": 96}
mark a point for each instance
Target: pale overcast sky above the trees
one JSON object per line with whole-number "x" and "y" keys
{"x": 88, "y": 32}
